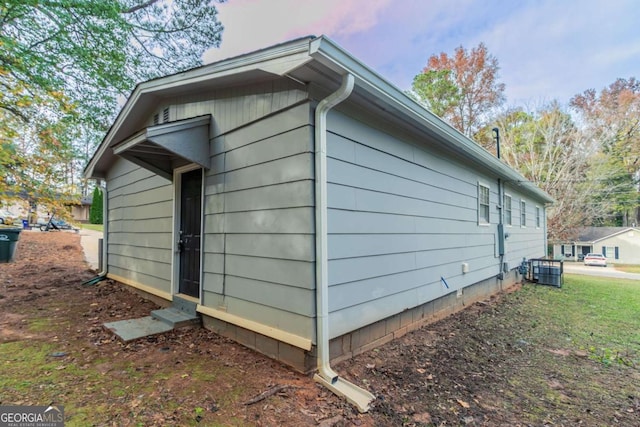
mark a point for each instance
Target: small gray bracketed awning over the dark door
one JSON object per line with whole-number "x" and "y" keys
{"x": 162, "y": 147}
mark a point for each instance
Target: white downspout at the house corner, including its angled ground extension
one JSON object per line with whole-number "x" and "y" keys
{"x": 327, "y": 376}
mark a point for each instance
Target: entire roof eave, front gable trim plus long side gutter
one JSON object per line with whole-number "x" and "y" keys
{"x": 282, "y": 59}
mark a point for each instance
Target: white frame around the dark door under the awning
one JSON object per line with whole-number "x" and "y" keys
{"x": 177, "y": 202}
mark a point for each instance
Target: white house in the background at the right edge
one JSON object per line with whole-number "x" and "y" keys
{"x": 619, "y": 245}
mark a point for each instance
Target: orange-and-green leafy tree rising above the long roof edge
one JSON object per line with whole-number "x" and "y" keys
{"x": 462, "y": 88}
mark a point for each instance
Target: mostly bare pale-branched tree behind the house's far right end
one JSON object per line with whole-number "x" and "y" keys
{"x": 549, "y": 149}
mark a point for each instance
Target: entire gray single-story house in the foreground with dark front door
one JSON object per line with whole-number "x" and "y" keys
{"x": 310, "y": 209}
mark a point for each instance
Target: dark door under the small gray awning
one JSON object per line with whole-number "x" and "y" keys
{"x": 189, "y": 233}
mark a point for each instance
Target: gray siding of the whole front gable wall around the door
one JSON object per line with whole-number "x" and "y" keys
{"x": 258, "y": 243}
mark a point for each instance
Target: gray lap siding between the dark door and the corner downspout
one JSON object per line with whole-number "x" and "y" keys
{"x": 259, "y": 222}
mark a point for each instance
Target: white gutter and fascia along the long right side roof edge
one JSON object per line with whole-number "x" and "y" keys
{"x": 325, "y": 51}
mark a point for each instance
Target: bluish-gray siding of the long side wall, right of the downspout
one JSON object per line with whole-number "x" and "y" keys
{"x": 401, "y": 216}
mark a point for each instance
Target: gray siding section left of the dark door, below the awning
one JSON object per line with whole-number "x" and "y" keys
{"x": 140, "y": 225}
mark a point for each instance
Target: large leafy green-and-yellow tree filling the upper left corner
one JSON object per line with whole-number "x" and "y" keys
{"x": 65, "y": 63}
